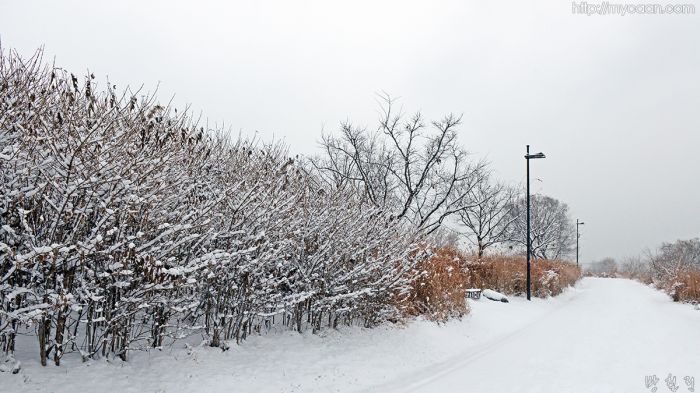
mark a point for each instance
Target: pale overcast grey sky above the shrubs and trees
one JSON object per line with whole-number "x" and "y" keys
{"x": 613, "y": 101}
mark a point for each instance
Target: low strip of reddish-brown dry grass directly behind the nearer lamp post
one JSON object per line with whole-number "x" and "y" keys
{"x": 509, "y": 275}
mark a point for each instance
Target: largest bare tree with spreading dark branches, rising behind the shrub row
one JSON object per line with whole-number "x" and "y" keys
{"x": 404, "y": 168}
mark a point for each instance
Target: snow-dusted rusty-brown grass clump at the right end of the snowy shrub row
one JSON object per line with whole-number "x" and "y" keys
{"x": 439, "y": 291}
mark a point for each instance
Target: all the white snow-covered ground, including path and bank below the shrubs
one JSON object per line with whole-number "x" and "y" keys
{"x": 605, "y": 335}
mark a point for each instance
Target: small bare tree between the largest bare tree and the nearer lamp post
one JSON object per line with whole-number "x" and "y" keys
{"x": 489, "y": 216}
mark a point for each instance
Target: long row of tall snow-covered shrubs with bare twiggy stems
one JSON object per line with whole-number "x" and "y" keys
{"x": 125, "y": 225}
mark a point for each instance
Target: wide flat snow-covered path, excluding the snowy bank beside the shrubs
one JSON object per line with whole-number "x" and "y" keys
{"x": 607, "y": 338}
